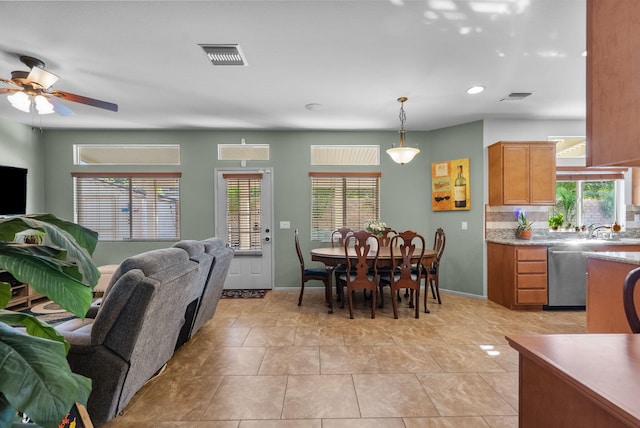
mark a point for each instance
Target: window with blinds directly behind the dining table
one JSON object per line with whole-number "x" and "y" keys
{"x": 342, "y": 199}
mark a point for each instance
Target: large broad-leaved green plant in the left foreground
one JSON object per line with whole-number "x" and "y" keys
{"x": 61, "y": 268}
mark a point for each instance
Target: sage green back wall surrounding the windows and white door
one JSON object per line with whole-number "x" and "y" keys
{"x": 405, "y": 189}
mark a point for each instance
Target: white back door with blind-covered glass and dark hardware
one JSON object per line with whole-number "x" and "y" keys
{"x": 243, "y": 220}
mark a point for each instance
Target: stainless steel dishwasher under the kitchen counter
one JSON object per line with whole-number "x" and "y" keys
{"x": 567, "y": 281}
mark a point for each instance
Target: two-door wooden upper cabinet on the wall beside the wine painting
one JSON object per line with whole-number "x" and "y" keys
{"x": 522, "y": 173}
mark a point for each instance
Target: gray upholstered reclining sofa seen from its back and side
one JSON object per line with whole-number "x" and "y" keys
{"x": 147, "y": 311}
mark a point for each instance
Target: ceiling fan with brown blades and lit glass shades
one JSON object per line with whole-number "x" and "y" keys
{"x": 34, "y": 88}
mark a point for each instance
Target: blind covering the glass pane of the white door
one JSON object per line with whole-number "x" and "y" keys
{"x": 244, "y": 212}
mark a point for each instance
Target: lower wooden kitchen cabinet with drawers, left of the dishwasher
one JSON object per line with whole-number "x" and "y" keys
{"x": 517, "y": 275}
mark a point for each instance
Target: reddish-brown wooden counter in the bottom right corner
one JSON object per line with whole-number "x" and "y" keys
{"x": 581, "y": 380}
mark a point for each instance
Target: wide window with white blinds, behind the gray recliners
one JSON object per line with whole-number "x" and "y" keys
{"x": 128, "y": 206}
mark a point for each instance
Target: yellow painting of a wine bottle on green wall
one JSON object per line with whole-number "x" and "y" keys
{"x": 450, "y": 185}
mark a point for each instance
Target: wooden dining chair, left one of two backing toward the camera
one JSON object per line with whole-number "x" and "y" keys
{"x": 361, "y": 273}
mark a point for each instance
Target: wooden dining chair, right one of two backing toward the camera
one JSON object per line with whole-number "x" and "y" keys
{"x": 405, "y": 247}
